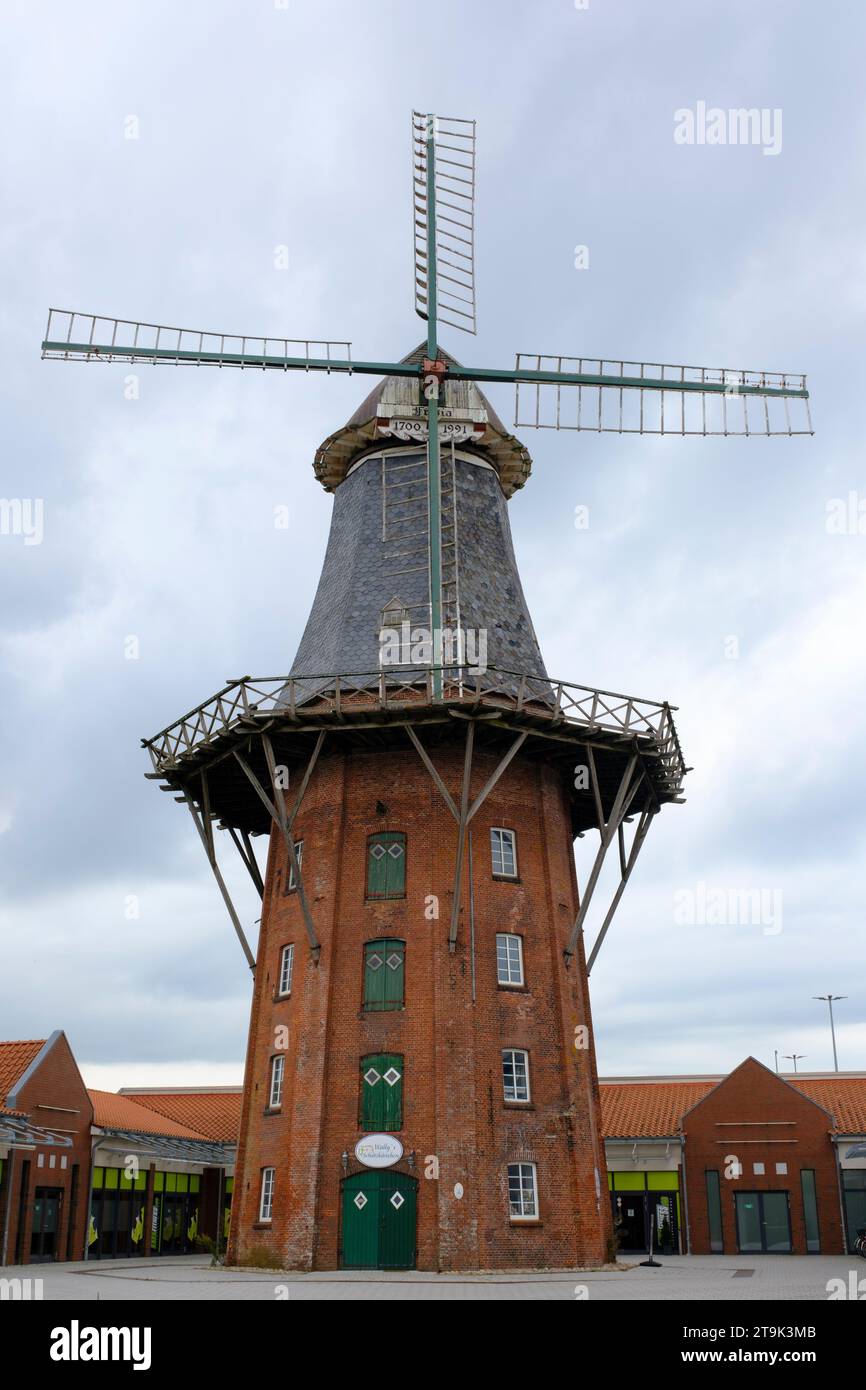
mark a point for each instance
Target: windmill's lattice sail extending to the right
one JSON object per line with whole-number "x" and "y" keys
{"x": 654, "y": 398}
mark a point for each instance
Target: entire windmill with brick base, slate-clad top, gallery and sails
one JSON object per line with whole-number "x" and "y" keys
{"x": 420, "y": 1077}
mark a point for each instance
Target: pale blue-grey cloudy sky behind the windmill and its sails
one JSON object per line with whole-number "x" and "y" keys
{"x": 708, "y": 575}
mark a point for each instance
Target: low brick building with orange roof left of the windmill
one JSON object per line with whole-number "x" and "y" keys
{"x": 95, "y": 1175}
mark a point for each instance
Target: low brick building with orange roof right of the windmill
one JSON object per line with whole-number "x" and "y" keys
{"x": 750, "y": 1164}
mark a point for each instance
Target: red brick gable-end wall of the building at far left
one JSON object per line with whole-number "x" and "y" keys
{"x": 55, "y": 1099}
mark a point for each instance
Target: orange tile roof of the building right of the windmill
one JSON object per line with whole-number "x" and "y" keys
{"x": 654, "y": 1110}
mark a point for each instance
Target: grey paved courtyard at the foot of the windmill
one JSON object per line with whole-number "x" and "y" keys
{"x": 793, "y": 1278}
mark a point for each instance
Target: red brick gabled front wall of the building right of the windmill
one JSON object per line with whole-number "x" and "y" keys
{"x": 760, "y": 1118}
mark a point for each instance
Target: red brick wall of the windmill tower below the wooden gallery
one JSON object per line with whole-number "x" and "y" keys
{"x": 452, "y": 1095}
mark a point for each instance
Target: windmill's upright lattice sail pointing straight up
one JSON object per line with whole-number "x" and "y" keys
{"x": 454, "y": 218}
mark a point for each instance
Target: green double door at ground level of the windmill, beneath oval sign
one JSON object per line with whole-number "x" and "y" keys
{"x": 380, "y": 1211}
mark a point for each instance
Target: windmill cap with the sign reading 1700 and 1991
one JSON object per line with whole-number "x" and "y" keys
{"x": 395, "y": 397}
